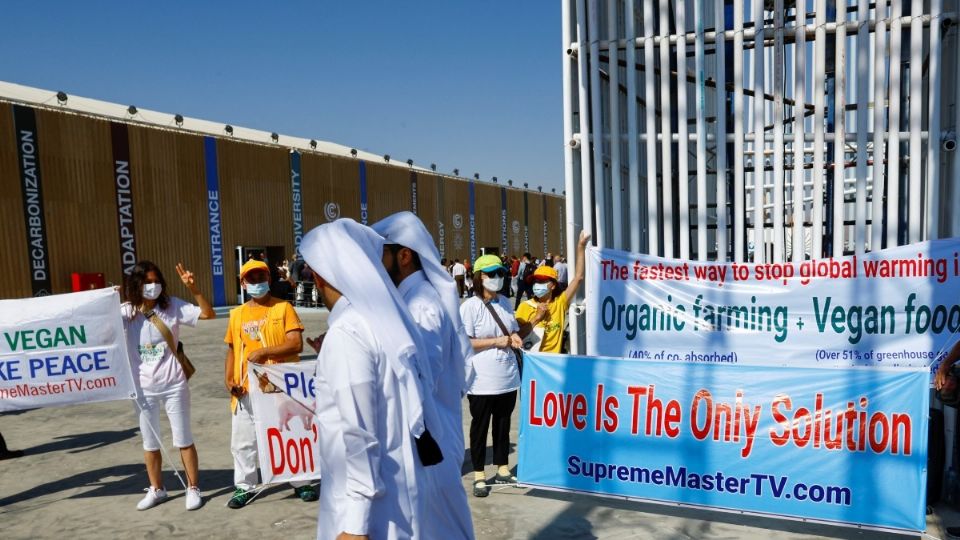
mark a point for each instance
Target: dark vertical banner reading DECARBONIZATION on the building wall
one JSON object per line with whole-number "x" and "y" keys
{"x": 28, "y": 152}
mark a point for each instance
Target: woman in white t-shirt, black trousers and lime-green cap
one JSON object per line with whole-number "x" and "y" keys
{"x": 492, "y": 393}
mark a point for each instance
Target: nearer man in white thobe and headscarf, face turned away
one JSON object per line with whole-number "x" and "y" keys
{"x": 371, "y": 406}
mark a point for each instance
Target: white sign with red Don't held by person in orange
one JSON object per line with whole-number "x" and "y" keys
{"x": 283, "y": 401}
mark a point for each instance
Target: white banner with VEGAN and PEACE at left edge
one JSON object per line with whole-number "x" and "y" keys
{"x": 63, "y": 349}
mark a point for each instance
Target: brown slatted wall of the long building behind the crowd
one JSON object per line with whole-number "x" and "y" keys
{"x": 170, "y": 216}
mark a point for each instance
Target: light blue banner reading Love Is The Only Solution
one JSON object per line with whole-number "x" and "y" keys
{"x": 840, "y": 445}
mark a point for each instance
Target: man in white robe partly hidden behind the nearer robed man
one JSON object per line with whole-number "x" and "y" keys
{"x": 412, "y": 262}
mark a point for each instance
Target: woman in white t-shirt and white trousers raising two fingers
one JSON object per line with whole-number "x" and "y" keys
{"x": 158, "y": 373}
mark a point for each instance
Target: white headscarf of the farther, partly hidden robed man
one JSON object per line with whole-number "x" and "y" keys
{"x": 406, "y": 229}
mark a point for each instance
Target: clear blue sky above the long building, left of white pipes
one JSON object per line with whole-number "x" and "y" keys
{"x": 474, "y": 85}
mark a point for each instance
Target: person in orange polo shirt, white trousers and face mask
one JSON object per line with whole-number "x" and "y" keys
{"x": 264, "y": 330}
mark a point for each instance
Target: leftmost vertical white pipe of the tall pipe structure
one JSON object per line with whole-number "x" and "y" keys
{"x": 569, "y": 183}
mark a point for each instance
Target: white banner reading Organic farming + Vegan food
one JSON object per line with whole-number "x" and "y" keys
{"x": 896, "y": 307}
